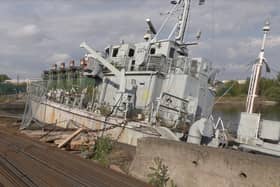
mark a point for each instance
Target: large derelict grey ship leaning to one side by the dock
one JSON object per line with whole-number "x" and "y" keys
{"x": 152, "y": 88}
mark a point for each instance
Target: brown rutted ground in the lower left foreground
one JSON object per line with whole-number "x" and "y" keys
{"x": 28, "y": 162}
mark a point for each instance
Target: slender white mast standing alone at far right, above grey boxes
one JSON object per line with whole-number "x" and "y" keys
{"x": 256, "y": 74}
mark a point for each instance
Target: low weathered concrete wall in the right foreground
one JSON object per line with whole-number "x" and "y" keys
{"x": 200, "y": 166}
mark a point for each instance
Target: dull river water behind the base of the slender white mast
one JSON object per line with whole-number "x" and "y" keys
{"x": 230, "y": 114}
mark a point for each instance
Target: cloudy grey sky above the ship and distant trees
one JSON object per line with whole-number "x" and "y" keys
{"x": 37, "y": 33}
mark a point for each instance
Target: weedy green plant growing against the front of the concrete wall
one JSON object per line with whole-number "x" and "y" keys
{"x": 159, "y": 174}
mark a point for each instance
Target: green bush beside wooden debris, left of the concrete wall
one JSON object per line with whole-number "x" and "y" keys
{"x": 102, "y": 148}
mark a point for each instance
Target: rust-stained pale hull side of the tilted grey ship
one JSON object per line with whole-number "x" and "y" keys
{"x": 66, "y": 117}
